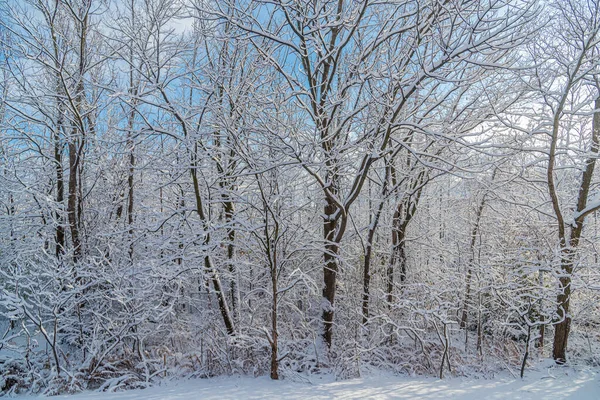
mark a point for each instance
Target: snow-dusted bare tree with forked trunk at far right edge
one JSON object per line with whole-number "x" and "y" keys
{"x": 571, "y": 53}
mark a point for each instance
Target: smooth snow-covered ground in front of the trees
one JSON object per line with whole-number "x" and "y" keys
{"x": 542, "y": 383}
